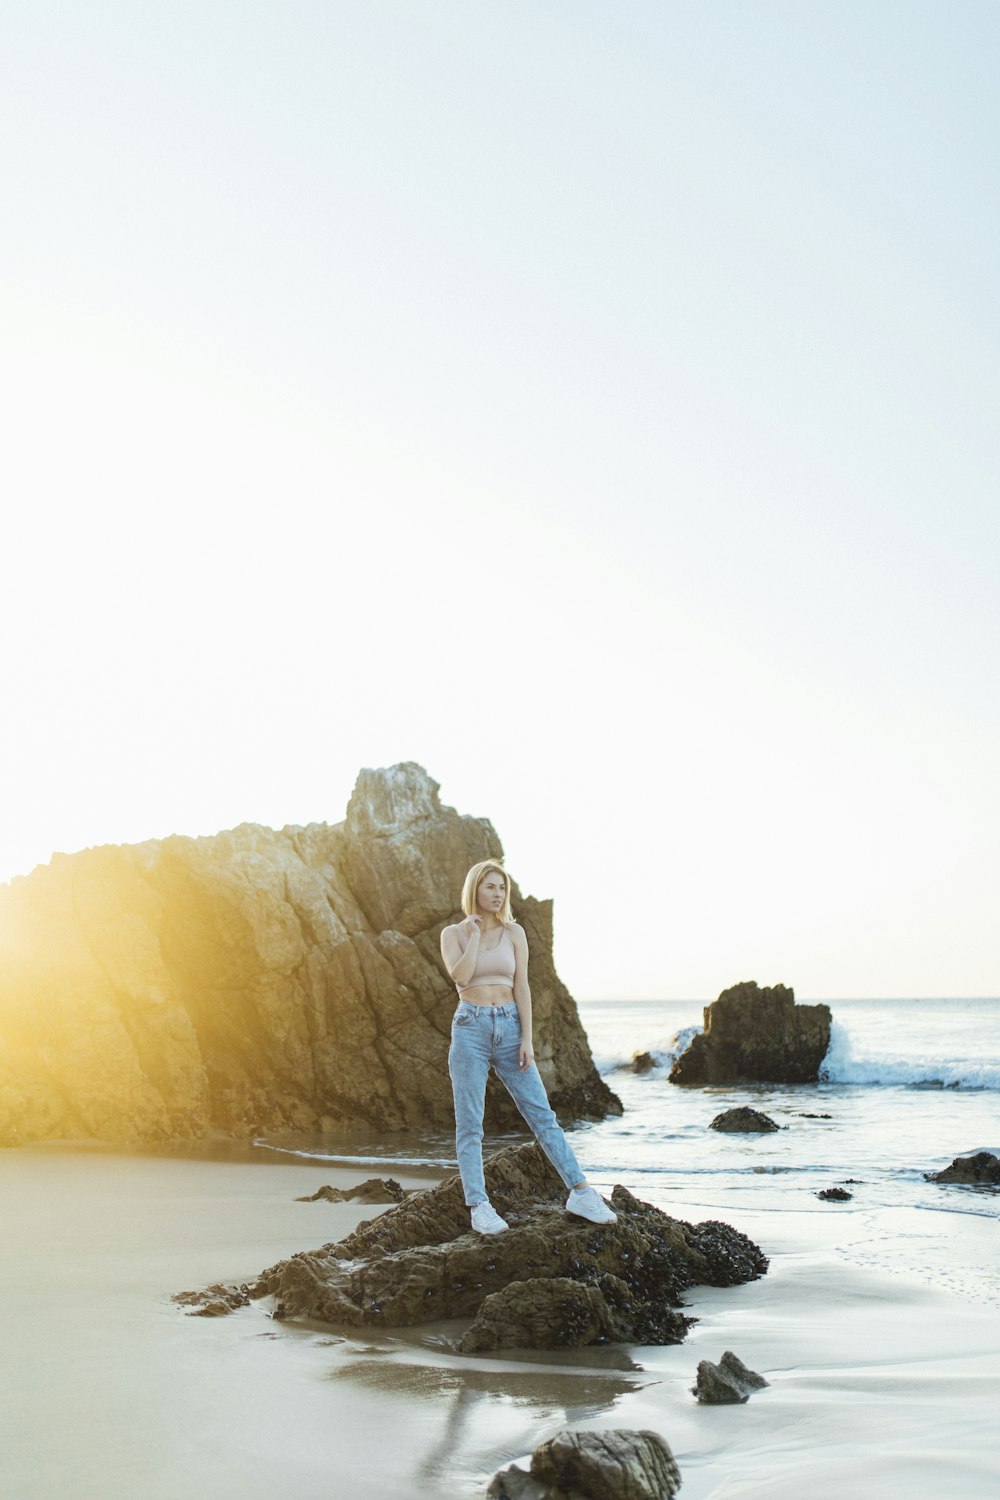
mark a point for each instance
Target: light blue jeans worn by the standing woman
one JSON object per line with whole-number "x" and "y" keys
{"x": 484, "y": 1036}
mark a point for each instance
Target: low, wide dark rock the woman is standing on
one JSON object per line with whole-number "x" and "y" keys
{"x": 551, "y": 1280}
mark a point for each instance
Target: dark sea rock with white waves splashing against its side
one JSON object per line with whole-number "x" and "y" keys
{"x": 755, "y": 1036}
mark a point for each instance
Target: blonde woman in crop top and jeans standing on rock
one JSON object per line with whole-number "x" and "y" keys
{"x": 488, "y": 958}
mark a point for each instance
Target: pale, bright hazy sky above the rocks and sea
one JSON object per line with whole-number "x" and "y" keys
{"x": 596, "y": 404}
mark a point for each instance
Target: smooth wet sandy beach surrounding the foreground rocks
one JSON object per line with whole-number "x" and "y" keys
{"x": 879, "y": 1385}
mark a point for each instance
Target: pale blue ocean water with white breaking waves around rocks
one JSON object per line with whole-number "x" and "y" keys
{"x": 908, "y": 1085}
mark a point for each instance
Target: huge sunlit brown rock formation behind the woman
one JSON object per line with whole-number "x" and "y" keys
{"x": 260, "y": 980}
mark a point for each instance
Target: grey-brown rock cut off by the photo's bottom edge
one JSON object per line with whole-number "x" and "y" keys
{"x": 621, "y": 1465}
